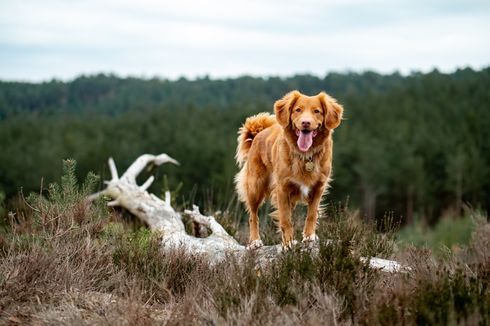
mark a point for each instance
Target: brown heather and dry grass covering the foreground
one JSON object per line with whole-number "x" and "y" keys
{"x": 67, "y": 263}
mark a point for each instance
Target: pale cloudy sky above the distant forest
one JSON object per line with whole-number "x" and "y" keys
{"x": 45, "y": 39}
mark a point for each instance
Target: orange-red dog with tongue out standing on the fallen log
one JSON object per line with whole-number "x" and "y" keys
{"x": 287, "y": 157}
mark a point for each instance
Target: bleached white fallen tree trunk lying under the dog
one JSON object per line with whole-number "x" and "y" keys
{"x": 162, "y": 218}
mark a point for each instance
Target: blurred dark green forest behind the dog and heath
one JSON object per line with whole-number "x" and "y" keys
{"x": 411, "y": 145}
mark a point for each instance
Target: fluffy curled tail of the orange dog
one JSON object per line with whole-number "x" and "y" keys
{"x": 252, "y": 126}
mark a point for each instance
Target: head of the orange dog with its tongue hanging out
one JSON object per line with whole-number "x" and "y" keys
{"x": 306, "y": 117}
